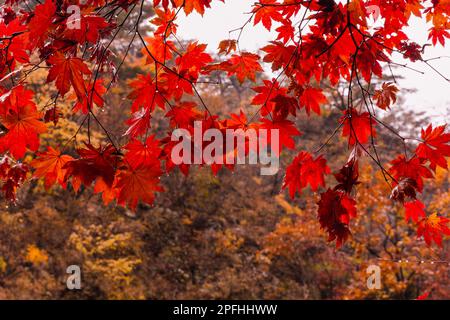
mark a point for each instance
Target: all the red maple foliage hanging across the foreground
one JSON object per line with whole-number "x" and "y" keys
{"x": 337, "y": 46}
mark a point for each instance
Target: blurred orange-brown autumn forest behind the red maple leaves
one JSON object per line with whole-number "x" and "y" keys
{"x": 230, "y": 236}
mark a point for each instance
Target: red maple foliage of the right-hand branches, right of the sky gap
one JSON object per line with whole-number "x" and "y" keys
{"x": 332, "y": 51}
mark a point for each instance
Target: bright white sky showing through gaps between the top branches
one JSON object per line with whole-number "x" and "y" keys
{"x": 432, "y": 90}
